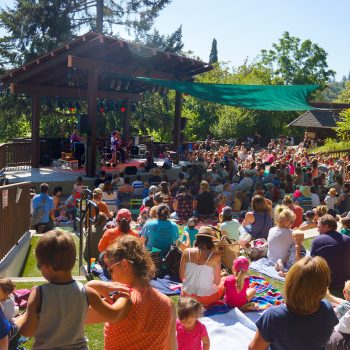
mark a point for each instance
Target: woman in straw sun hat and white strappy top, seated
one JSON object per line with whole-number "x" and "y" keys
{"x": 200, "y": 269}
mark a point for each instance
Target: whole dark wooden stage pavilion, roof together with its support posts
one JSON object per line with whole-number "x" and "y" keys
{"x": 103, "y": 68}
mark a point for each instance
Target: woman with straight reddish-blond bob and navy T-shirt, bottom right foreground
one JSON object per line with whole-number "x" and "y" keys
{"x": 284, "y": 326}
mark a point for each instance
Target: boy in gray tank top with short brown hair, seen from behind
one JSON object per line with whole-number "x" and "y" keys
{"x": 57, "y": 310}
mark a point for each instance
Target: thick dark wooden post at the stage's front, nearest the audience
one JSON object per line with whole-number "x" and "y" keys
{"x": 92, "y": 115}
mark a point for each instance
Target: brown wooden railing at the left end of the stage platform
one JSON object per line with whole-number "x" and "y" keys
{"x": 14, "y": 154}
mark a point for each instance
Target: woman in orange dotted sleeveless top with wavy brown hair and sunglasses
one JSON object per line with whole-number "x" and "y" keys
{"x": 148, "y": 317}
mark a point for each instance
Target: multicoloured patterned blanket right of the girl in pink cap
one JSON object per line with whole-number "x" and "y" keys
{"x": 266, "y": 294}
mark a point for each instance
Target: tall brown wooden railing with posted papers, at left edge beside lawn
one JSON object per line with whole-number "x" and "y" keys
{"x": 14, "y": 215}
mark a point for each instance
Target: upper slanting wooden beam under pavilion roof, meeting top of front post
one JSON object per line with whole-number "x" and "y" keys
{"x": 106, "y": 67}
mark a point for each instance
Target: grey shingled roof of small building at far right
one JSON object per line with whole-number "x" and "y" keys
{"x": 320, "y": 118}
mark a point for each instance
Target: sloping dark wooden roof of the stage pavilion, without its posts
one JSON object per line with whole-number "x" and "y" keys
{"x": 115, "y": 60}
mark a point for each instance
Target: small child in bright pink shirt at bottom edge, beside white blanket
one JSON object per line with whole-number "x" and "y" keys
{"x": 190, "y": 333}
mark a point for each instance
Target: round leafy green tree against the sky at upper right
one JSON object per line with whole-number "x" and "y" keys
{"x": 292, "y": 61}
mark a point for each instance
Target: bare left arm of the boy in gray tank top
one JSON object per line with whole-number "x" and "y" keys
{"x": 28, "y": 322}
